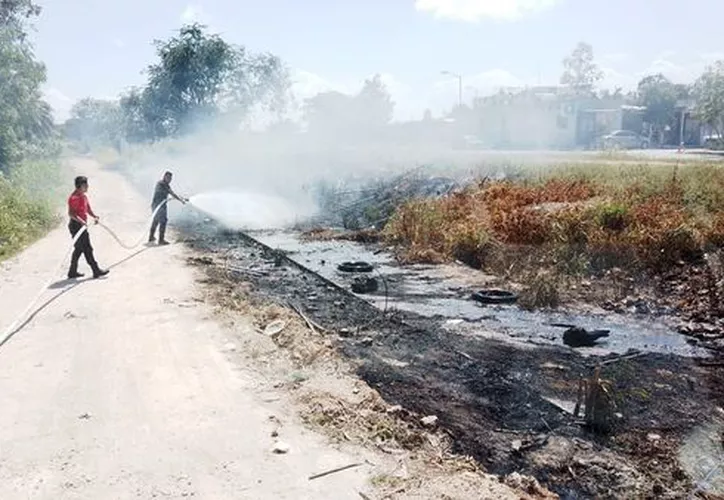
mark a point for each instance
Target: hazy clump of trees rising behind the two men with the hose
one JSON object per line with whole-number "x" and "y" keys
{"x": 197, "y": 77}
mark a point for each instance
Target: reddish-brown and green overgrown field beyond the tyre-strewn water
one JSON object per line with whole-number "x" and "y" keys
{"x": 578, "y": 219}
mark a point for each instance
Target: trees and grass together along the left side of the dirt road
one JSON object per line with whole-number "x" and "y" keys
{"x": 29, "y": 166}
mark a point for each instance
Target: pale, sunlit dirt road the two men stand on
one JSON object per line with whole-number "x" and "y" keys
{"x": 120, "y": 388}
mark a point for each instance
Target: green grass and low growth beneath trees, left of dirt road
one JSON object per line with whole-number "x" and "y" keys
{"x": 29, "y": 198}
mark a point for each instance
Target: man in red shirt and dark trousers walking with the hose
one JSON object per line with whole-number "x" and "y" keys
{"x": 78, "y": 211}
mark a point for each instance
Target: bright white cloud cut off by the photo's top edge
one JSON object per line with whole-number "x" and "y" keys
{"x": 476, "y": 10}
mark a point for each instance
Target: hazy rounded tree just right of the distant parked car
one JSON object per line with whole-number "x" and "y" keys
{"x": 659, "y": 96}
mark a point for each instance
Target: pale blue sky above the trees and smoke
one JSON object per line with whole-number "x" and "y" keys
{"x": 100, "y": 48}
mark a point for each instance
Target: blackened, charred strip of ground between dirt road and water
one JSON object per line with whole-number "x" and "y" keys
{"x": 489, "y": 395}
